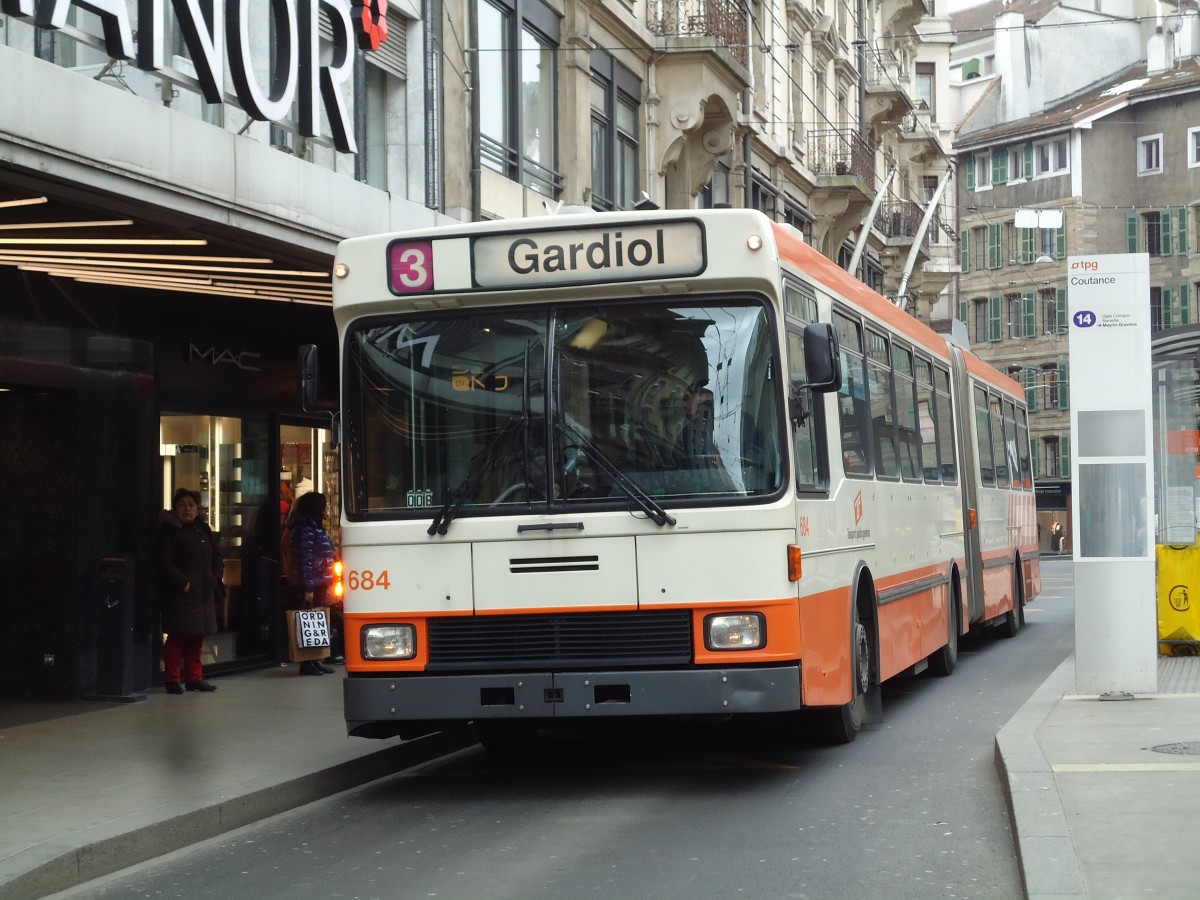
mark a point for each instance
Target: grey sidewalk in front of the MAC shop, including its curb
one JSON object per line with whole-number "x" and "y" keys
{"x": 87, "y": 795}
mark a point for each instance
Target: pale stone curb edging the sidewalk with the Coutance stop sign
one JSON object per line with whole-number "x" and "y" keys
{"x": 1046, "y": 850}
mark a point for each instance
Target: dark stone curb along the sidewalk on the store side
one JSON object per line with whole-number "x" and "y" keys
{"x": 152, "y": 837}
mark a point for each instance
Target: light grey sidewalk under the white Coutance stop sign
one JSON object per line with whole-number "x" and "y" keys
{"x": 1105, "y": 796}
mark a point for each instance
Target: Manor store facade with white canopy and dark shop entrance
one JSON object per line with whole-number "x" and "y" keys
{"x": 173, "y": 183}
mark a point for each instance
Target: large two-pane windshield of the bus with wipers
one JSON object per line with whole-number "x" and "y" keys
{"x": 634, "y": 404}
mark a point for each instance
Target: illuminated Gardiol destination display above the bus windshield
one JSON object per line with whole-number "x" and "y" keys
{"x": 580, "y": 256}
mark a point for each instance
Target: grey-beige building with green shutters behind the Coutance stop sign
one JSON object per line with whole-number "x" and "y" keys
{"x": 1054, "y": 166}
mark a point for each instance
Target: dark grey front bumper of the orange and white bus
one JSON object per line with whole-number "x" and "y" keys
{"x": 569, "y": 695}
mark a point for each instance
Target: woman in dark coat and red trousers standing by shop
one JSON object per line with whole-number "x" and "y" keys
{"x": 190, "y": 568}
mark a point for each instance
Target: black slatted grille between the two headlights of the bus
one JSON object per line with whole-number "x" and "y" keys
{"x": 572, "y": 640}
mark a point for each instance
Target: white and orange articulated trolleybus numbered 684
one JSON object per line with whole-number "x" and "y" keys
{"x": 668, "y": 464}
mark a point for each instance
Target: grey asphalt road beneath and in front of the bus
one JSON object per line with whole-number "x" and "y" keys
{"x": 913, "y": 809}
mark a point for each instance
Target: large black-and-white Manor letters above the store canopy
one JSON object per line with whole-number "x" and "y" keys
{"x": 220, "y": 31}
